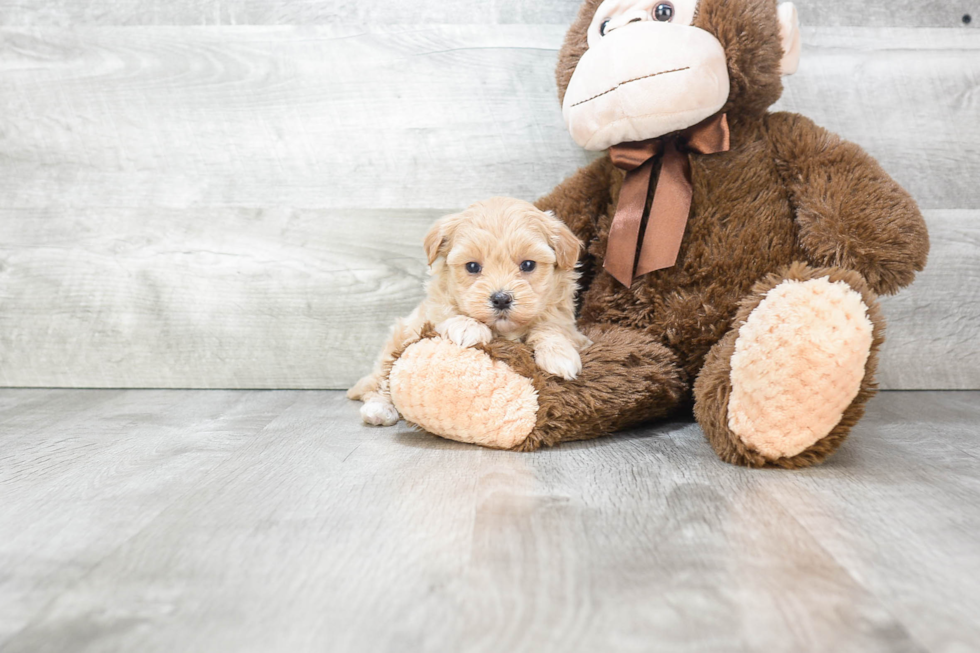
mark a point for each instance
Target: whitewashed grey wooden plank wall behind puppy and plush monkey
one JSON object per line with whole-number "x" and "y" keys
{"x": 232, "y": 193}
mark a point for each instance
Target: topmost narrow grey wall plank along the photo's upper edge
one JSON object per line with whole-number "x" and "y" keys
{"x": 71, "y": 13}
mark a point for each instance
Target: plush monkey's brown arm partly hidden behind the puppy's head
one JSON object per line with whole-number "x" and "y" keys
{"x": 581, "y": 199}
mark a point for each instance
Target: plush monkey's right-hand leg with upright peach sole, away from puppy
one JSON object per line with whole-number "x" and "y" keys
{"x": 787, "y": 383}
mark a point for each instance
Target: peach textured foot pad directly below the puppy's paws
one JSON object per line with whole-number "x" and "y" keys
{"x": 464, "y": 395}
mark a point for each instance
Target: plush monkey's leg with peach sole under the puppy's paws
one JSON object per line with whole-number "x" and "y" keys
{"x": 495, "y": 396}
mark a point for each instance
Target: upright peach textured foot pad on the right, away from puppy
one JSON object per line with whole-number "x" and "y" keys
{"x": 798, "y": 364}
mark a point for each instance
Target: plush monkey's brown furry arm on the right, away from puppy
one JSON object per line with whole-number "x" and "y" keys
{"x": 851, "y": 214}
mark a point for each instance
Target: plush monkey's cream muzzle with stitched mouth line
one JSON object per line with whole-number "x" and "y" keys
{"x": 645, "y": 80}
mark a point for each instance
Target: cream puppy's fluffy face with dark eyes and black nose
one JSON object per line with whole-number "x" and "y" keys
{"x": 506, "y": 264}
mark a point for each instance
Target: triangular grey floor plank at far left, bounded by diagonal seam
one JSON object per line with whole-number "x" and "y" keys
{"x": 90, "y": 509}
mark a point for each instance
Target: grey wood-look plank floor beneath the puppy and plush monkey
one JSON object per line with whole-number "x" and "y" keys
{"x": 273, "y": 521}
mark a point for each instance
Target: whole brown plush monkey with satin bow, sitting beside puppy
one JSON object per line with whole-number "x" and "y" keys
{"x": 733, "y": 256}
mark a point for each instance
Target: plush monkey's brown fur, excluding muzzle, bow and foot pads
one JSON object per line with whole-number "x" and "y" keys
{"x": 789, "y": 201}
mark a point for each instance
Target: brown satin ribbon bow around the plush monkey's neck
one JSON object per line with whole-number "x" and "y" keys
{"x": 671, "y": 199}
